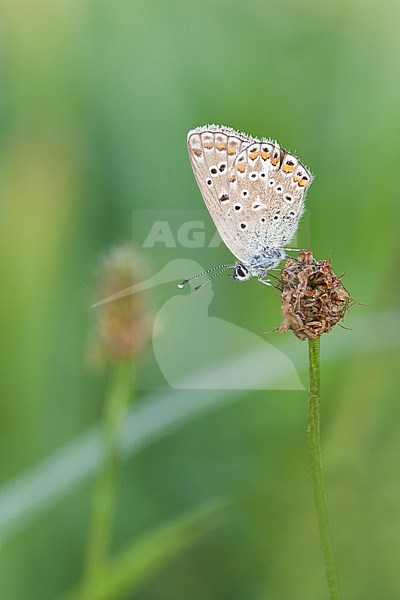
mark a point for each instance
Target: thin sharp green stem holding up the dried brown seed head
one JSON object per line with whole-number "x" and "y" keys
{"x": 316, "y": 469}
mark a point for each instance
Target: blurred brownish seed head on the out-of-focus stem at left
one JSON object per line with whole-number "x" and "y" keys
{"x": 122, "y": 326}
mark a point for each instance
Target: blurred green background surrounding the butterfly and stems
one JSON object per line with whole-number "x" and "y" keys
{"x": 97, "y": 98}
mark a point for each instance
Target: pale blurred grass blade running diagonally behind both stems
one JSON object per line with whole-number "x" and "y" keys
{"x": 27, "y": 496}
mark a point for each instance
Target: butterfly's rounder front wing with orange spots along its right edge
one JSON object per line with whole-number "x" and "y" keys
{"x": 267, "y": 192}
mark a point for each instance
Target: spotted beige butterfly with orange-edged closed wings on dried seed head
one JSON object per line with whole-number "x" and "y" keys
{"x": 254, "y": 191}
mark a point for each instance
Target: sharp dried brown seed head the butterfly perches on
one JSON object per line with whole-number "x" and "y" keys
{"x": 314, "y": 299}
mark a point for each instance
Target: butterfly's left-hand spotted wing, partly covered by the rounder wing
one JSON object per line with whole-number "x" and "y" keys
{"x": 213, "y": 151}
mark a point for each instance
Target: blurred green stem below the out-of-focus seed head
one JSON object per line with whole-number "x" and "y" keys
{"x": 104, "y": 497}
